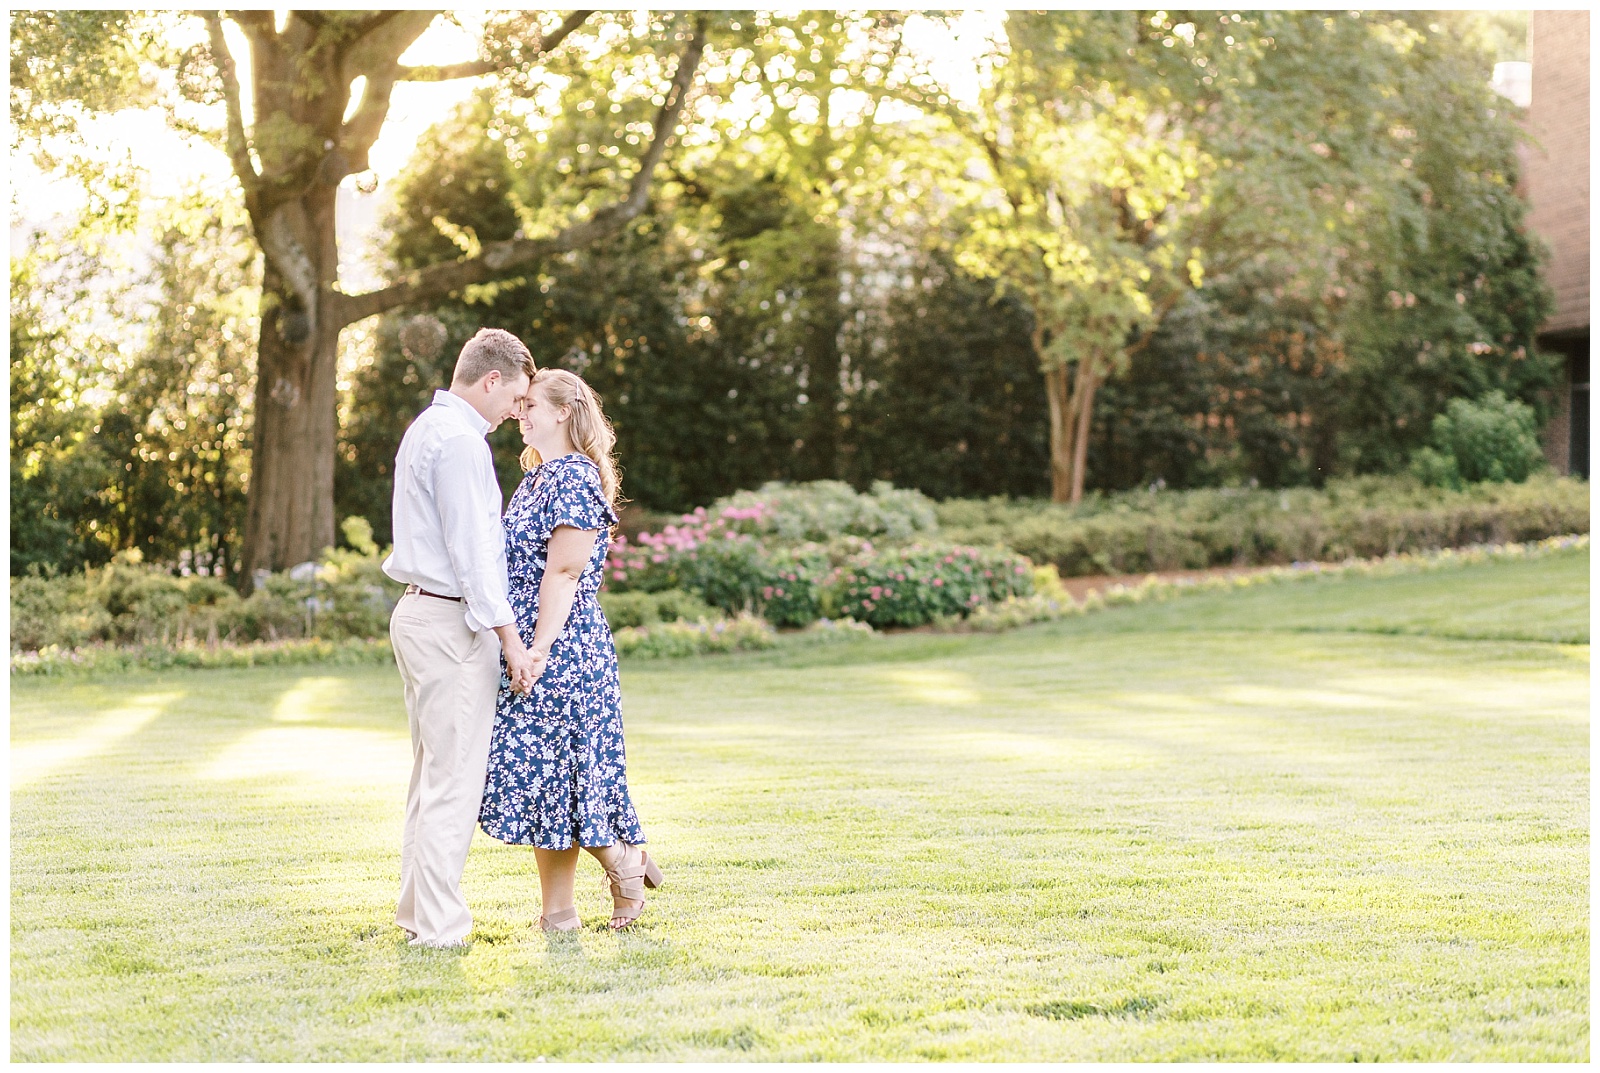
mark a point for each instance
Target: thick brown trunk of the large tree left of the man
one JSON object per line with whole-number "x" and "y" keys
{"x": 290, "y": 517}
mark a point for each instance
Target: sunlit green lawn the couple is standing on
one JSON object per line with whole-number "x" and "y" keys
{"x": 1327, "y": 821}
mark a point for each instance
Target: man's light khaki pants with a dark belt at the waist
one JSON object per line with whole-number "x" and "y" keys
{"x": 452, "y": 676}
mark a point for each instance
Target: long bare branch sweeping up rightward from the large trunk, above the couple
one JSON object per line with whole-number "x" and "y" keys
{"x": 498, "y": 258}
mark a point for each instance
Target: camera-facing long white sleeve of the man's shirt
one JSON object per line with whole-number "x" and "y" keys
{"x": 468, "y": 503}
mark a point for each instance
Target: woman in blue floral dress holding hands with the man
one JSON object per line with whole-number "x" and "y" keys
{"x": 558, "y": 772}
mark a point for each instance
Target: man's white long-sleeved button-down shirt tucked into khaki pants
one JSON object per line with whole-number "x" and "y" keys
{"x": 447, "y": 522}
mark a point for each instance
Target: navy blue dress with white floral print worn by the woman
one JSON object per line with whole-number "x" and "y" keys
{"x": 558, "y": 770}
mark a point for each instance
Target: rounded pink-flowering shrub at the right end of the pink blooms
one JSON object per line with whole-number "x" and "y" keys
{"x": 919, "y": 584}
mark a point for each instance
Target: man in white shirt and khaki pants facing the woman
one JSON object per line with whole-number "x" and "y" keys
{"x": 452, "y": 624}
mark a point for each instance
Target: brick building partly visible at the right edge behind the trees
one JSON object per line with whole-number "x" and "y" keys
{"x": 1556, "y": 181}
